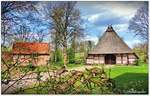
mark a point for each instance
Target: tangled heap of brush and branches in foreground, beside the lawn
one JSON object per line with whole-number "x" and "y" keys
{"x": 93, "y": 80}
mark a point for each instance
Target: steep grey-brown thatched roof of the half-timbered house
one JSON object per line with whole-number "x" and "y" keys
{"x": 111, "y": 43}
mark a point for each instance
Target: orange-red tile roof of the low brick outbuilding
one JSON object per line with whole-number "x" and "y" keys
{"x": 30, "y": 48}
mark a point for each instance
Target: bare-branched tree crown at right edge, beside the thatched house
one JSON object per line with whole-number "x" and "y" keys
{"x": 139, "y": 23}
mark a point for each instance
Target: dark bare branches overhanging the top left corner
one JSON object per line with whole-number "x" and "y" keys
{"x": 8, "y": 9}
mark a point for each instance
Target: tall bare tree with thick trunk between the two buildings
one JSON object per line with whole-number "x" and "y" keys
{"x": 65, "y": 19}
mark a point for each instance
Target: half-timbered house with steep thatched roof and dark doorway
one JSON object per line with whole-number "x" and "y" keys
{"x": 111, "y": 49}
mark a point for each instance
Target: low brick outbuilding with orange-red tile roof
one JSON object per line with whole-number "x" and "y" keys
{"x": 31, "y": 52}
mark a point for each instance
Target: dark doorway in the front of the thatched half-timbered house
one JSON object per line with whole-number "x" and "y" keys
{"x": 110, "y": 59}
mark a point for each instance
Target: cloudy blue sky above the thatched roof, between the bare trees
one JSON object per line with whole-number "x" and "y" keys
{"x": 98, "y": 15}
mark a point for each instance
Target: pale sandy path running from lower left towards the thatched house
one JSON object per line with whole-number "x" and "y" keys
{"x": 31, "y": 79}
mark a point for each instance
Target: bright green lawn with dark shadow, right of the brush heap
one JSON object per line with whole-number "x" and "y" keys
{"x": 130, "y": 79}
